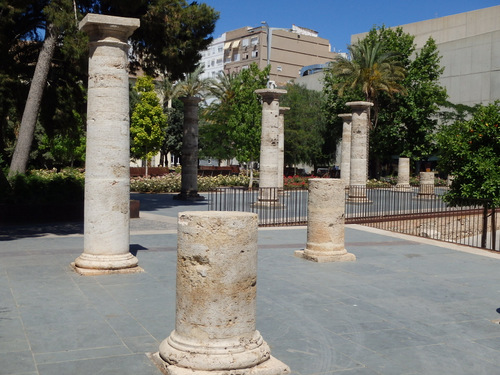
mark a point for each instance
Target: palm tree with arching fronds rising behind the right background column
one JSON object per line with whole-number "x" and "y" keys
{"x": 371, "y": 70}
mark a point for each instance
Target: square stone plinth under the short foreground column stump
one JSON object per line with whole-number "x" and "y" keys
{"x": 272, "y": 366}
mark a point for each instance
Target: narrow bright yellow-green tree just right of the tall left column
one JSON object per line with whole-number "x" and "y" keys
{"x": 148, "y": 122}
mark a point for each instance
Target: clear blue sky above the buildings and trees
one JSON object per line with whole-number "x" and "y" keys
{"x": 335, "y": 20}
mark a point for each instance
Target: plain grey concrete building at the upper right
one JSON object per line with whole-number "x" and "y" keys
{"x": 469, "y": 44}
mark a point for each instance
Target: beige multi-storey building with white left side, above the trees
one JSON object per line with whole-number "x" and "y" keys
{"x": 286, "y": 50}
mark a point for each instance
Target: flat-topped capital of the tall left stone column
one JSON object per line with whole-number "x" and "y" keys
{"x": 99, "y": 26}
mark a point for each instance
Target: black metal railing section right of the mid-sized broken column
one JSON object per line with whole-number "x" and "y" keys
{"x": 470, "y": 222}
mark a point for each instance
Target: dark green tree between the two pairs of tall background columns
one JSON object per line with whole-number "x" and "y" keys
{"x": 304, "y": 126}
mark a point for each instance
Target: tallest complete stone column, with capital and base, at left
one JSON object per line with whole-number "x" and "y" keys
{"x": 107, "y": 172}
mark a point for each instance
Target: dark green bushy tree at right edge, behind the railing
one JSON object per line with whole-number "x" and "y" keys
{"x": 470, "y": 152}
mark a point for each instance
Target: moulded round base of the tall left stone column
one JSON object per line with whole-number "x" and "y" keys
{"x": 91, "y": 264}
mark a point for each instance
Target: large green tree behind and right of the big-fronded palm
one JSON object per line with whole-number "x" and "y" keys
{"x": 406, "y": 121}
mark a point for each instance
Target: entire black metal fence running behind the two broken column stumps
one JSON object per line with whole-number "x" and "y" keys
{"x": 469, "y": 222}
